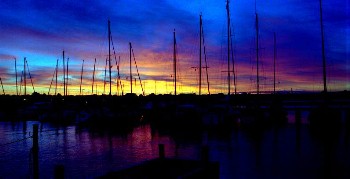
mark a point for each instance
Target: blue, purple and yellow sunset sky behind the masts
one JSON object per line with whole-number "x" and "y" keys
{"x": 41, "y": 30}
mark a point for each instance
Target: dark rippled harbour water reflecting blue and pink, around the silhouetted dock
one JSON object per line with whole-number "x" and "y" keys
{"x": 284, "y": 152}
